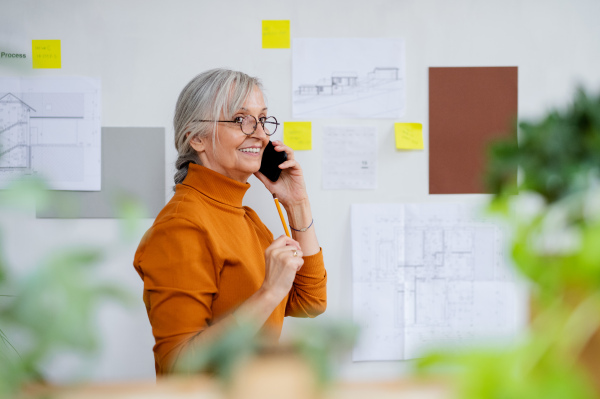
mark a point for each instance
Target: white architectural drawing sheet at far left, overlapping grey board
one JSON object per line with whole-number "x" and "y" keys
{"x": 50, "y": 127}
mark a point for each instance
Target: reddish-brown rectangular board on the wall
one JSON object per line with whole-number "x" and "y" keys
{"x": 468, "y": 108}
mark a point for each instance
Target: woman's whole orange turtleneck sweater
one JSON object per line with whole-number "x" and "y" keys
{"x": 204, "y": 256}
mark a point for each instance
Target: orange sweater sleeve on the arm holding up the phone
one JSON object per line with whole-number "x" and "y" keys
{"x": 308, "y": 296}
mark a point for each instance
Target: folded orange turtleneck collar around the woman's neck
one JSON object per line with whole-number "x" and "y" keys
{"x": 215, "y": 185}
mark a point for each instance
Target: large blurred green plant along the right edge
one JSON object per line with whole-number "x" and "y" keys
{"x": 553, "y": 211}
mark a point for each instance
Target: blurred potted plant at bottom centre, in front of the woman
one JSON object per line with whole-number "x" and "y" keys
{"x": 251, "y": 366}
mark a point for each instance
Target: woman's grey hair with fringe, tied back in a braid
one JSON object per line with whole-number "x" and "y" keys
{"x": 206, "y": 97}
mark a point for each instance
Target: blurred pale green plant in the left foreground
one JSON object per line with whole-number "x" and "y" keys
{"x": 52, "y": 308}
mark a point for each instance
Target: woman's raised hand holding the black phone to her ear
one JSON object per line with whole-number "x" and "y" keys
{"x": 290, "y": 187}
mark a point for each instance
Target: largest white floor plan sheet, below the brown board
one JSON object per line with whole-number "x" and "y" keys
{"x": 429, "y": 275}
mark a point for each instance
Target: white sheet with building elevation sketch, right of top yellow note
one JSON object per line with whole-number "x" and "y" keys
{"x": 348, "y": 78}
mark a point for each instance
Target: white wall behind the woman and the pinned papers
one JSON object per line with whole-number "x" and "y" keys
{"x": 145, "y": 51}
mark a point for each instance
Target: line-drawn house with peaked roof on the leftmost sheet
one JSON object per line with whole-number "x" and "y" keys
{"x": 14, "y": 133}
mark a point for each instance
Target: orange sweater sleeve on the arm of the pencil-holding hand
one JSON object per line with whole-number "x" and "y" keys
{"x": 180, "y": 280}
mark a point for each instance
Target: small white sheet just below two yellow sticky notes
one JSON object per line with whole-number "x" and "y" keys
{"x": 351, "y": 161}
